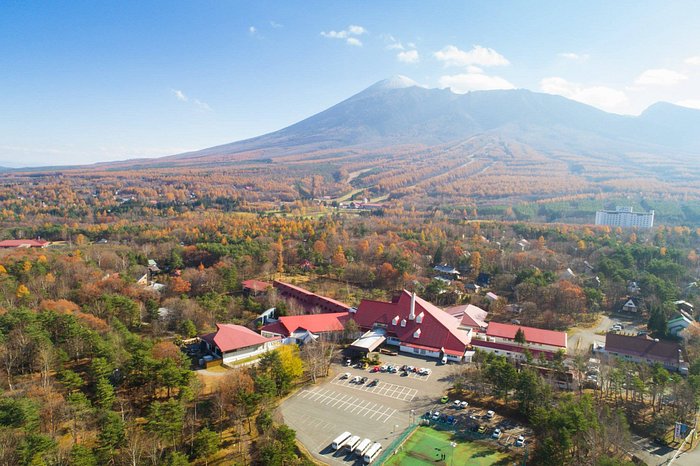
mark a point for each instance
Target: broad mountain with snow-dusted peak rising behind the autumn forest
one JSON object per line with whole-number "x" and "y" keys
{"x": 397, "y": 111}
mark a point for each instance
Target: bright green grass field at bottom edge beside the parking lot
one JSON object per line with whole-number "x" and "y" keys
{"x": 426, "y": 445}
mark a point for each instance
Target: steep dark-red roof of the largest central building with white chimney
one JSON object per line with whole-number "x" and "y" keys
{"x": 438, "y": 328}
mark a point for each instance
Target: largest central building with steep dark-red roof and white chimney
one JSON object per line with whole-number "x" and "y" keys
{"x": 415, "y": 326}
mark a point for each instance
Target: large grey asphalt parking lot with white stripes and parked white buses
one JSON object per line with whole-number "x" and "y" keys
{"x": 380, "y": 412}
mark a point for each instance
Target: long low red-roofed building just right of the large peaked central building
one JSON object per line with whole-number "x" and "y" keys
{"x": 500, "y": 339}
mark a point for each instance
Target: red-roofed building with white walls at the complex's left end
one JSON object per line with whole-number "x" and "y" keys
{"x": 233, "y": 342}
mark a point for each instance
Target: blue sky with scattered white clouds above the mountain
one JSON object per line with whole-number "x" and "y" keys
{"x": 86, "y": 81}
